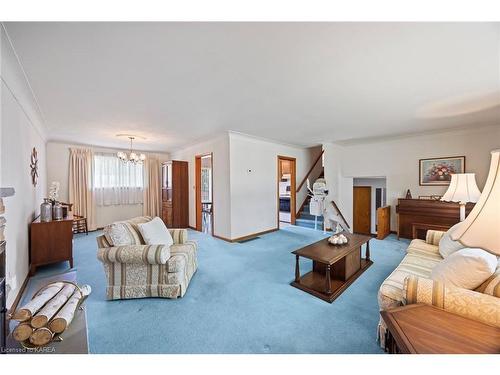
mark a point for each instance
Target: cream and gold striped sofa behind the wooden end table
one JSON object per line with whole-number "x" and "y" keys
{"x": 410, "y": 283}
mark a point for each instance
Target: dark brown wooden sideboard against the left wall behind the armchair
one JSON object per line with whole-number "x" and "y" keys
{"x": 51, "y": 242}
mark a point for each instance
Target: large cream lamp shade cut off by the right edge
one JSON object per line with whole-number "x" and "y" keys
{"x": 481, "y": 228}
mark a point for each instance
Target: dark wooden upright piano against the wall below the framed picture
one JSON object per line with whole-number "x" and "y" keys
{"x": 426, "y": 214}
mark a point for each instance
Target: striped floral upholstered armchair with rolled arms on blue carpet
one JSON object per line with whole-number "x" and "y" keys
{"x": 136, "y": 270}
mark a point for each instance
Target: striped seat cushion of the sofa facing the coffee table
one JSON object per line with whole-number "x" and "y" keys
{"x": 391, "y": 291}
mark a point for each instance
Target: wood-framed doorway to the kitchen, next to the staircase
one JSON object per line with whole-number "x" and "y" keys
{"x": 286, "y": 191}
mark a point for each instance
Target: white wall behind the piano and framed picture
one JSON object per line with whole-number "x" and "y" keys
{"x": 398, "y": 160}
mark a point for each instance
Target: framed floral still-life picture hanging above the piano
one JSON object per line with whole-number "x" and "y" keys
{"x": 438, "y": 171}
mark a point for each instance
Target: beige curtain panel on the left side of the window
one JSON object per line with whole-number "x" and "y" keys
{"x": 80, "y": 184}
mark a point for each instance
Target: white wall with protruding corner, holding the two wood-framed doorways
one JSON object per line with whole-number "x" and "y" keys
{"x": 244, "y": 202}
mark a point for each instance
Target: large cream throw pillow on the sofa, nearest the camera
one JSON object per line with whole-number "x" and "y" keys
{"x": 467, "y": 268}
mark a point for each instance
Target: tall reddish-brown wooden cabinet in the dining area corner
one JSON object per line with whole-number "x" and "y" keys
{"x": 175, "y": 194}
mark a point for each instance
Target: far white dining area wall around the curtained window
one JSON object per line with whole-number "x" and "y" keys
{"x": 58, "y": 170}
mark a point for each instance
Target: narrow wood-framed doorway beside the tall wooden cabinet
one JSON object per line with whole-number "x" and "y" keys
{"x": 204, "y": 193}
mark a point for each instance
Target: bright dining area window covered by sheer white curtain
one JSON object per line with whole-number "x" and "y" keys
{"x": 116, "y": 182}
